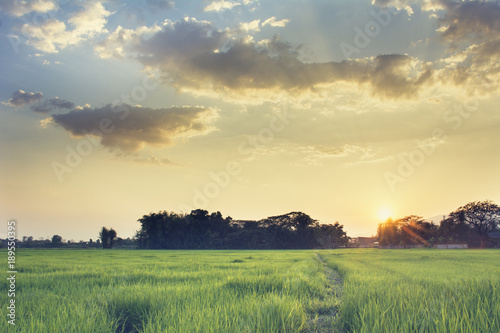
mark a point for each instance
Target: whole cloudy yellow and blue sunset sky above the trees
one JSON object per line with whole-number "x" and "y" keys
{"x": 350, "y": 111}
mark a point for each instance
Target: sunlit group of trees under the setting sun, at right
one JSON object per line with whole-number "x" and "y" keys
{"x": 470, "y": 224}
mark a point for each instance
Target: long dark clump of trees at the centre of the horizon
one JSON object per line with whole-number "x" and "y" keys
{"x": 203, "y": 230}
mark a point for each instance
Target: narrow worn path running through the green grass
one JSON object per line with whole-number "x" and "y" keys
{"x": 325, "y": 320}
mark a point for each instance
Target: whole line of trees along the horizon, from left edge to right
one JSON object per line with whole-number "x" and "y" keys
{"x": 472, "y": 224}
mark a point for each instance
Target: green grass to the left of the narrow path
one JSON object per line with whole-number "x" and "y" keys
{"x": 167, "y": 291}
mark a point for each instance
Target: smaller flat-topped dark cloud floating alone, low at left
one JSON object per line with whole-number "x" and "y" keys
{"x": 130, "y": 128}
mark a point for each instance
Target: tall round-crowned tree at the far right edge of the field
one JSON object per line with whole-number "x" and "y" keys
{"x": 482, "y": 216}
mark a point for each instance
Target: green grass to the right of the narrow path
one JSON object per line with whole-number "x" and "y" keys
{"x": 418, "y": 290}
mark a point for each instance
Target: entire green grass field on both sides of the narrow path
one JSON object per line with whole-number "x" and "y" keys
{"x": 417, "y": 290}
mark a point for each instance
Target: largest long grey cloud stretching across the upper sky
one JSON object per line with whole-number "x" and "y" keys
{"x": 193, "y": 55}
